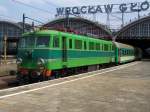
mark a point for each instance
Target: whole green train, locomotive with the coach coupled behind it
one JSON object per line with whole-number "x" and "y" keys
{"x": 47, "y": 54}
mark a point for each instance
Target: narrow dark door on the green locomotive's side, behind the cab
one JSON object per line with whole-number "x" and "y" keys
{"x": 64, "y": 49}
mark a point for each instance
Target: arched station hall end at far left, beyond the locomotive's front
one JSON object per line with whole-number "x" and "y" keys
{"x": 13, "y": 32}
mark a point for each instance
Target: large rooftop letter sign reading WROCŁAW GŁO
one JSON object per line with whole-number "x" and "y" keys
{"x": 109, "y": 8}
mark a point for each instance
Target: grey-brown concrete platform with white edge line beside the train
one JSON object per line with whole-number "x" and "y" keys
{"x": 123, "y": 88}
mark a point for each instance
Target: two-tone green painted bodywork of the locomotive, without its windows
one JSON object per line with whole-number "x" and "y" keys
{"x": 76, "y": 57}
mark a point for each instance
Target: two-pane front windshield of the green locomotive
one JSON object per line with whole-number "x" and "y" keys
{"x": 34, "y": 42}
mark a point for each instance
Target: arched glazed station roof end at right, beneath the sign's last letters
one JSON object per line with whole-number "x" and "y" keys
{"x": 138, "y": 29}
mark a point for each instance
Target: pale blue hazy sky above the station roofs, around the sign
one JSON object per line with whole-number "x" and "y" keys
{"x": 45, "y": 10}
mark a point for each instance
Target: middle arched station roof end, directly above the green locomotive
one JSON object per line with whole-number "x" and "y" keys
{"x": 81, "y": 26}
